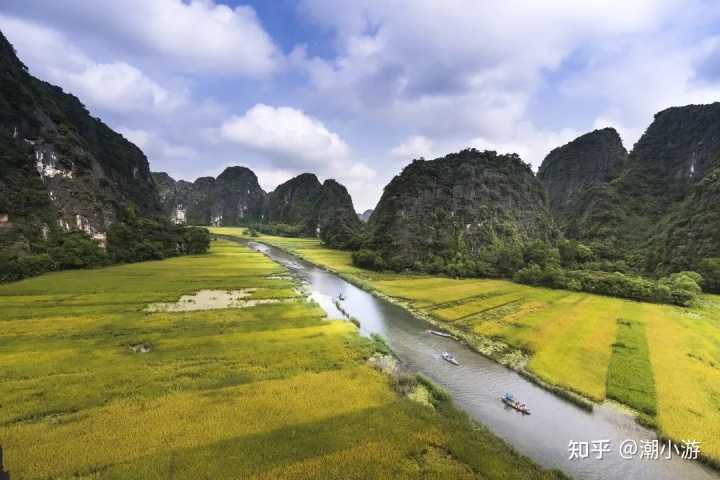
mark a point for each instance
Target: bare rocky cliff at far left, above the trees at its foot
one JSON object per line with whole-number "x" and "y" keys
{"x": 60, "y": 166}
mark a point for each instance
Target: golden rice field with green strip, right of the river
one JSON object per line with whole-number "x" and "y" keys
{"x": 661, "y": 360}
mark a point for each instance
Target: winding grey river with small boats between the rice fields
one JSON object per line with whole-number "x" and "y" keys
{"x": 478, "y": 383}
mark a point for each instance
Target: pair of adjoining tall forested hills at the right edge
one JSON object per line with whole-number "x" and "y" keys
{"x": 659, "y": 212}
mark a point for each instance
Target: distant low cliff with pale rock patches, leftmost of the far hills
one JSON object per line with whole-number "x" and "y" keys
{"x": 234, "y": 198}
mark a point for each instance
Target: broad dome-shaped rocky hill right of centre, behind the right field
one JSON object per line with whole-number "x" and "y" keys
{"x": 459, "y": 205}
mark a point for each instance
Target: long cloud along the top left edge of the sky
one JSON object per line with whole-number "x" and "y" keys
{"x": 194, "y": 35}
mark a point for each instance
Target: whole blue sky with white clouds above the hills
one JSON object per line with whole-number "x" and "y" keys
{"x": 355, "y": 89}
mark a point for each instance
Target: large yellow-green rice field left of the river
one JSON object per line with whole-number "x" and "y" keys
{"x": 92, "y": 385}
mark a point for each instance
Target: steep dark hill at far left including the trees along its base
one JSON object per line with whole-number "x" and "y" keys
{"x": 66, "y": 177}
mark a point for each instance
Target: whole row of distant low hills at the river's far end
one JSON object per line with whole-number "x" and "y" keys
{"x": 302, "y": 206}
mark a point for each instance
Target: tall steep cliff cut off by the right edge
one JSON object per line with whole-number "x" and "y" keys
{"x": 672, "y": 190}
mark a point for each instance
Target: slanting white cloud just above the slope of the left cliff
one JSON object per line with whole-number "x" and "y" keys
{"x": 115, "y": 86}
